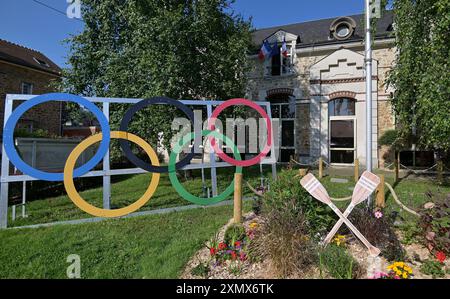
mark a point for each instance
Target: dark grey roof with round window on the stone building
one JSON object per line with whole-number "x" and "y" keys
{"x": 318, "y": 32}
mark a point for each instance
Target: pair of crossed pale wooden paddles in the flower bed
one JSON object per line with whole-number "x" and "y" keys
{"x": 365, "y": 186}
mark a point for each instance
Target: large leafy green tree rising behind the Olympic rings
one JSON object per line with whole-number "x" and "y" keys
{"x": 183, "y": 49}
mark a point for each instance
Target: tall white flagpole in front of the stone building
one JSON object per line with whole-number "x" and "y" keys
{"x": 368, "y": 62}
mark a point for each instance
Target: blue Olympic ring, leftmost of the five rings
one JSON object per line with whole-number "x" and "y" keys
{"x": 8, "y": 136}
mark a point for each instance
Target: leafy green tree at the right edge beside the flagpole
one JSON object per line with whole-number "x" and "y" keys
{"x": 420, "y": 76}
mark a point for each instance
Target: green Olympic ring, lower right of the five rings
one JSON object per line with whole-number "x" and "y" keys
{"x": 173, "y": 175}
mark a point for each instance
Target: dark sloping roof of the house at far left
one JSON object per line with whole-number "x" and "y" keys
{"x": 20, "y": 55}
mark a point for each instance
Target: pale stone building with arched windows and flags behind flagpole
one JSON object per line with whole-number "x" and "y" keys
{"x": 318, "y": 90}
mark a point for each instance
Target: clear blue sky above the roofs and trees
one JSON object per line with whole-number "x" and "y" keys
{"x": 35, "y": 26}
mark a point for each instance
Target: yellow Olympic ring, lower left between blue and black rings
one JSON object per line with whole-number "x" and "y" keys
{"x": 88, "y": 208}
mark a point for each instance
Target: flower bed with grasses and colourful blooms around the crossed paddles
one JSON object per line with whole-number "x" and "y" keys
{"x": 283, "y": 242}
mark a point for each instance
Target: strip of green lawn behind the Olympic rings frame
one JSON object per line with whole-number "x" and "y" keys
{"x": 125, "y": 192}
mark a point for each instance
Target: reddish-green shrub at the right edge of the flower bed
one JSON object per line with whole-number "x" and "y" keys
{"x": 435, "y": 224}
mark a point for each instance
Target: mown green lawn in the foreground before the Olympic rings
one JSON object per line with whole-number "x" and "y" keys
{"x": 156, "y": 246}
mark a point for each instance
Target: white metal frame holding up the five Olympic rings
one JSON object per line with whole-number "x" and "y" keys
{"x": 107, "y": 172}
